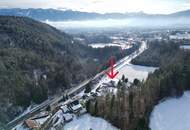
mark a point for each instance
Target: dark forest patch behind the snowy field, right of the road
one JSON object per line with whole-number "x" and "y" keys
{"x": 157, "y": 52}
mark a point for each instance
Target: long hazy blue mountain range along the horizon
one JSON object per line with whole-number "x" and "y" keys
{"x": 63, "y": 15}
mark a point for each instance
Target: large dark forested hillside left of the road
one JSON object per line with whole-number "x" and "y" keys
{"x": 38, "y": 61}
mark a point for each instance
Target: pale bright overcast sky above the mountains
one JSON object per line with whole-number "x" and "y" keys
{"x": 103, "y": 6}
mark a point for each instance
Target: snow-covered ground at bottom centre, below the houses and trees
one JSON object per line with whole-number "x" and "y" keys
{"x": 87, "y": 122}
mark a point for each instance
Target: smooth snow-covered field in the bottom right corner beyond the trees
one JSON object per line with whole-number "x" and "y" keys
{"x": 172, "y": 114}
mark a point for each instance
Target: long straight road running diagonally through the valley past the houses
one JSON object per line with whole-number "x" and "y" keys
{"x": 71, "y": 92}
